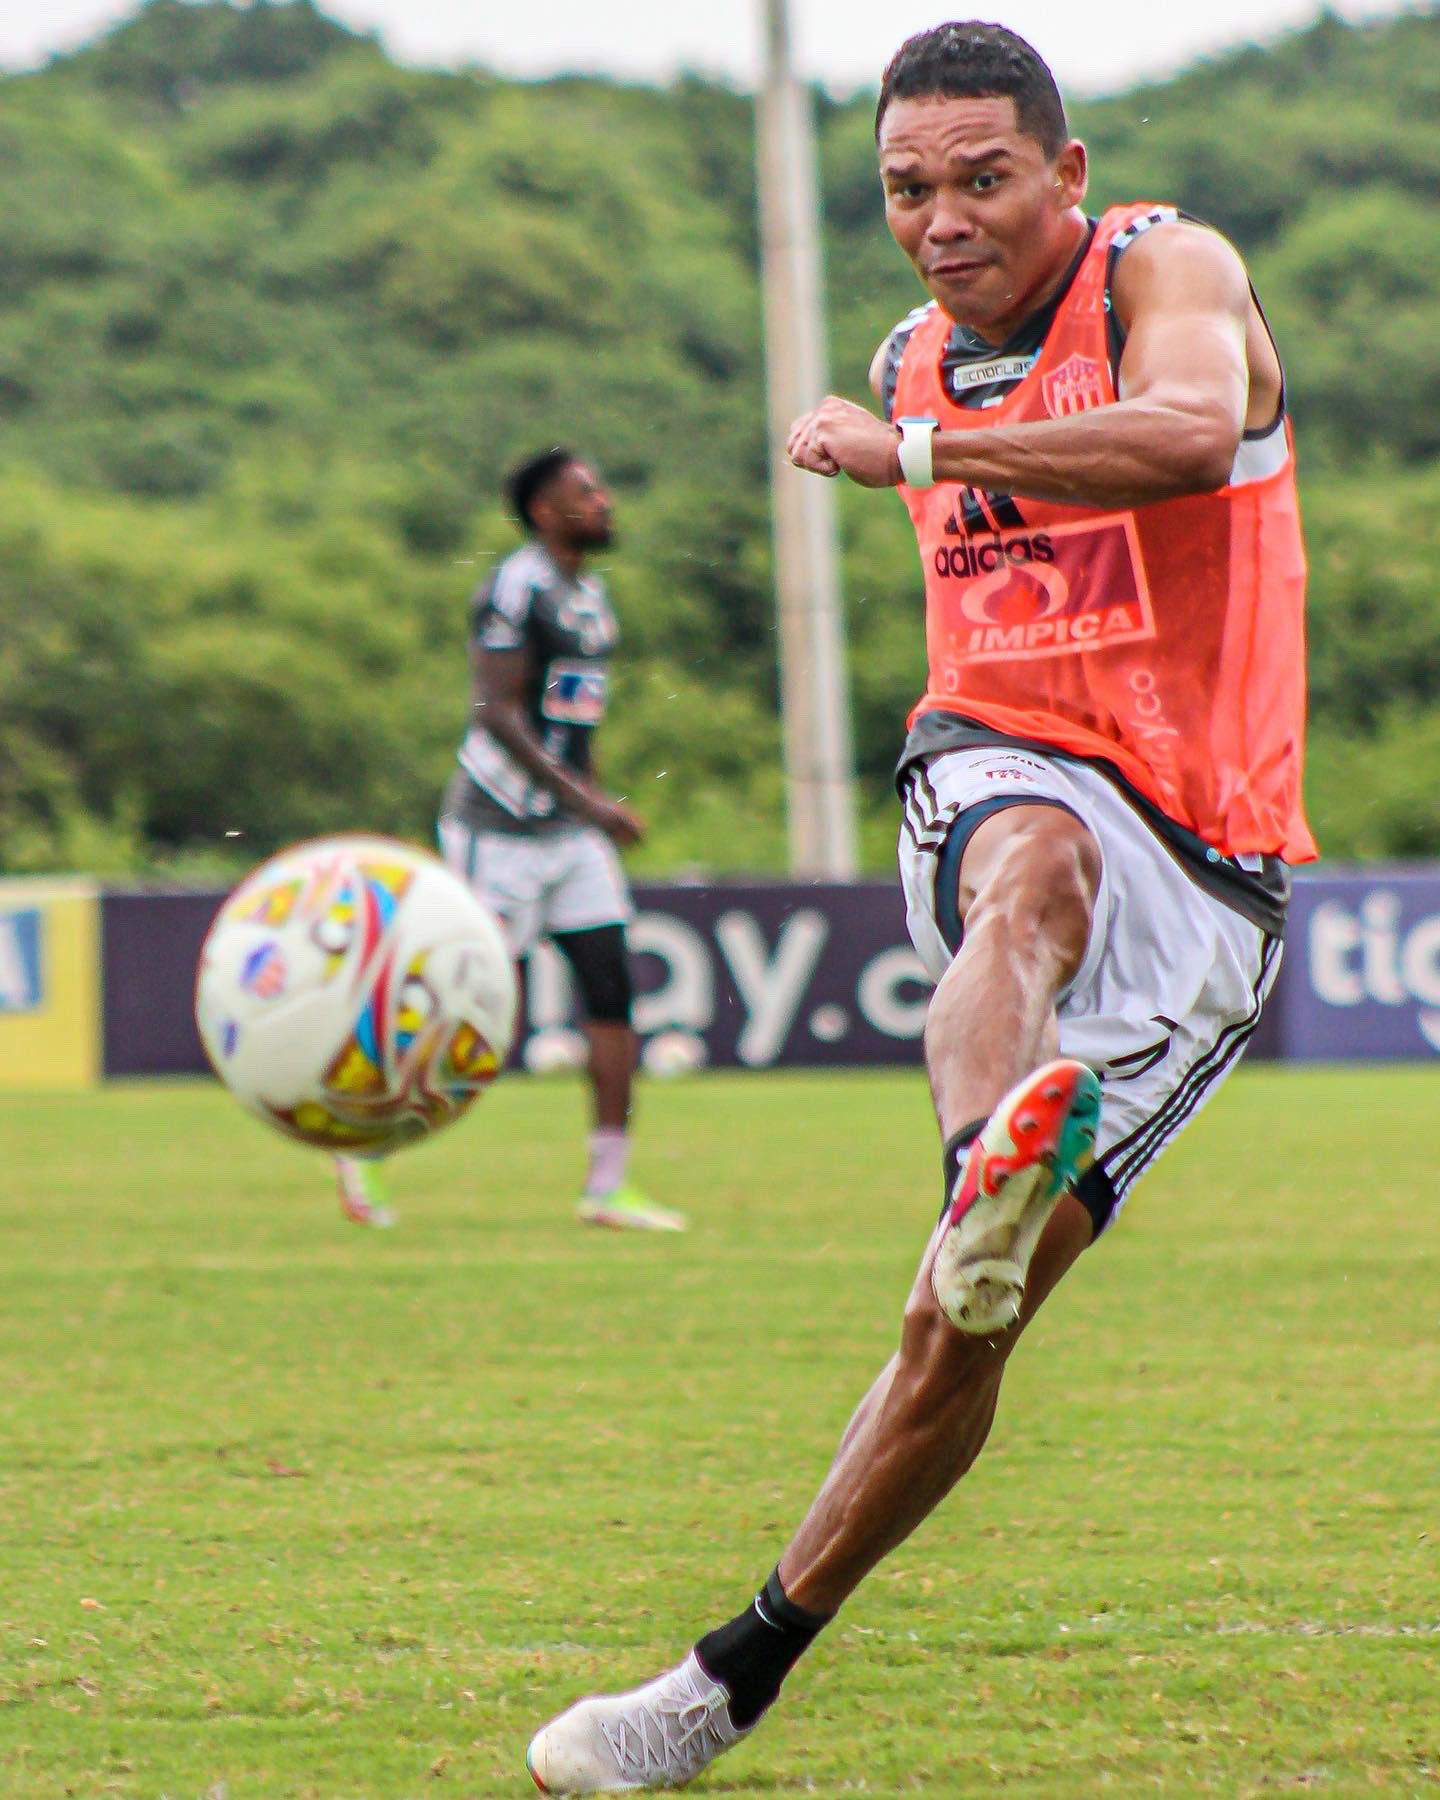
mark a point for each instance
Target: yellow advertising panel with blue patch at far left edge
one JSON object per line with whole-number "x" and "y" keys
{"x": 49, "y": 985}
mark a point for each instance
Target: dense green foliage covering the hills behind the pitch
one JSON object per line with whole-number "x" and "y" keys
{"x": 276, "y": 314}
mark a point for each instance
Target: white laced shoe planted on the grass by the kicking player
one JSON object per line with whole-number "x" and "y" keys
{"x": 660, "y": 1736}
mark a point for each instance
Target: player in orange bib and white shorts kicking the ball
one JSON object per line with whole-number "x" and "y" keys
{"x": 1101, "y": 784}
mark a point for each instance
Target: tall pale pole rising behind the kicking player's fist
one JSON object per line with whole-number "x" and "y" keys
{"x": 813, "y": 672}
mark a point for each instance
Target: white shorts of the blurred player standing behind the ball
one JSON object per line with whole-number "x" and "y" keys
{"x": 537, "y": 886}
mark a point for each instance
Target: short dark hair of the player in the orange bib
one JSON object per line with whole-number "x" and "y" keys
{"x": 971, "y": 60}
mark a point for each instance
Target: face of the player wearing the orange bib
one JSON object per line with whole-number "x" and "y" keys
{"x": 976, "y": 204}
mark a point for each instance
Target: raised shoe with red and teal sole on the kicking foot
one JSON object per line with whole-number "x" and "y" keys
{"x": 1034, "y": 1146}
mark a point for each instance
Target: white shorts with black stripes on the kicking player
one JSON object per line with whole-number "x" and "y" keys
{"x": 1173, "y": 982}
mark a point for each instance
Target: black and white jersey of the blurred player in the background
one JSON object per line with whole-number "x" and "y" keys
{"x": 568, "y": 629}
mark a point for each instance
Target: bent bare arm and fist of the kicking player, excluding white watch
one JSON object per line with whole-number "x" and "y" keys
{"x": 1183, "y": 298}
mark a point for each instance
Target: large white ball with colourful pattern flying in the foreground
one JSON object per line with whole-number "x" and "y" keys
{"x": 355, "y": 994}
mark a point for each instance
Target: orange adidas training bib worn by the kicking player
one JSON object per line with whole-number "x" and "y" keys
{"x": 1167, "y": 640}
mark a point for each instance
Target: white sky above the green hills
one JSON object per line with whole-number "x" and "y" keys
{"x": 1095, "y": 49}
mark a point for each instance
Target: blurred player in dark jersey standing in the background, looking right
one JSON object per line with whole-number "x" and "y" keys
{"x": 525, "y": 820}
